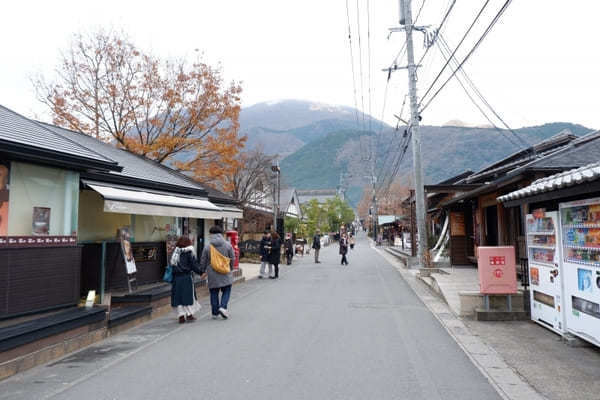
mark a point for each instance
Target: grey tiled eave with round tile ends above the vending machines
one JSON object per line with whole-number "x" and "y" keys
{"x": 572, "y": 177}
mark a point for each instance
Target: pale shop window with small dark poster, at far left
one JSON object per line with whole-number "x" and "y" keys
{"x": 41, "y": 201}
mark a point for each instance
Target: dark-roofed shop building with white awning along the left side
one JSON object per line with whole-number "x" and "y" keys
{"x": 65, "y": 195}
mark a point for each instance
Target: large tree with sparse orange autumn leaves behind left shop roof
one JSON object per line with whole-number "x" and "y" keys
{"x": 177, "y": 113}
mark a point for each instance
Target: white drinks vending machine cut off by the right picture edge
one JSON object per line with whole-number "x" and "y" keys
{"x": 580, "y": 225}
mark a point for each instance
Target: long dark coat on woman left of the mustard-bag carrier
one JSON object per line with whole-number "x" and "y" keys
{"x": 182, "y": 289}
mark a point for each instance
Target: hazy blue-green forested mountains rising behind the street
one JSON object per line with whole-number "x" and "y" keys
{"x": 317, "y": 143}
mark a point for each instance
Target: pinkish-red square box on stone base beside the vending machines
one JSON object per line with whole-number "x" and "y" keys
{"x": 497, "y": 270}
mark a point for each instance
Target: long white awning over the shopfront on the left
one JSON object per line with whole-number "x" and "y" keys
{"x": 131, "y": 201}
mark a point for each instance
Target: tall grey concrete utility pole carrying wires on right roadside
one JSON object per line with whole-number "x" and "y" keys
{"x": 406, "y": 20}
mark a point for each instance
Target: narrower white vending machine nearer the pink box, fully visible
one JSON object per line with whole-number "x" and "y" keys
{"x": 545, "y": 273}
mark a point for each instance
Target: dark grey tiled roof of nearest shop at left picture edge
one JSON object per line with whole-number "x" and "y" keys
{"x": 17, "y": 129}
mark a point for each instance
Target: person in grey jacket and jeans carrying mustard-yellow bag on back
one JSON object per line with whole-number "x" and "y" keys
{"x": 217, "y": 260}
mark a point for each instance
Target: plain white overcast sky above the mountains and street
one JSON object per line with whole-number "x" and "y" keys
{"x": 539, "y": 64}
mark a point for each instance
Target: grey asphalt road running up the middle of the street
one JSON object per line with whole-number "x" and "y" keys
{"x": 322, "y": 331}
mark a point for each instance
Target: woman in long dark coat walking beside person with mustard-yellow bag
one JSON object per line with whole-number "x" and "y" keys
{"x": 183, "y": 291}
